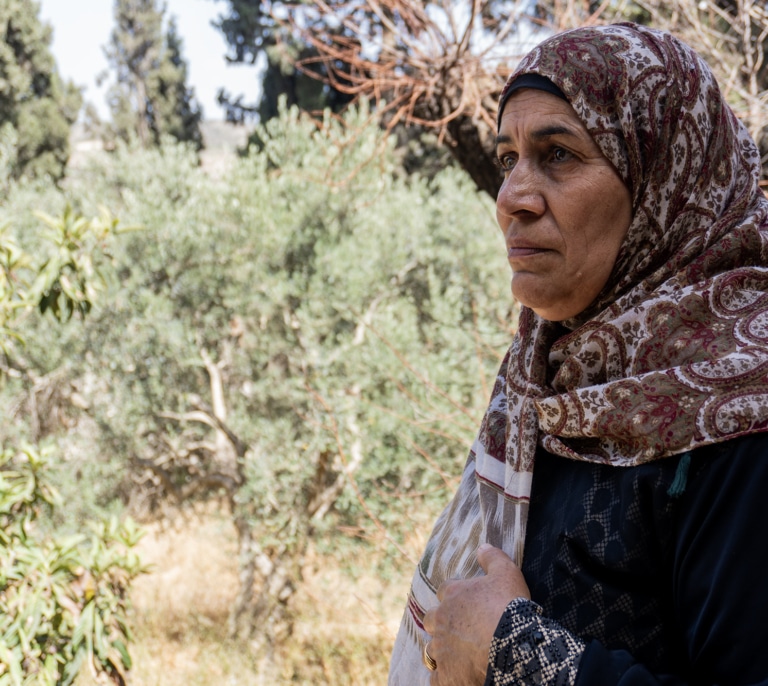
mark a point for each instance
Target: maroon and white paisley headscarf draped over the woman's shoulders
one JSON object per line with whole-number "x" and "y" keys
{"x": 673, "y": 353}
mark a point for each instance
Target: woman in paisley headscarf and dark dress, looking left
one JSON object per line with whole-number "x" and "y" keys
{"x": 634, "y": 551}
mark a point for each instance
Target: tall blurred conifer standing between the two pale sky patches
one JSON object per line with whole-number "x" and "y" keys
{"x": 151, "y": 98}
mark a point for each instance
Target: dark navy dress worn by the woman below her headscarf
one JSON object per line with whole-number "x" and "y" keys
{"x": 661, "y": 570}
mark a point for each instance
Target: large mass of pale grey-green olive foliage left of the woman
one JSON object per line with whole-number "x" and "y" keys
{"x": 353, "y": 312}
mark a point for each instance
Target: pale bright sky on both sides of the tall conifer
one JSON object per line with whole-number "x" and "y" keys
{"x": 81, "y": 29}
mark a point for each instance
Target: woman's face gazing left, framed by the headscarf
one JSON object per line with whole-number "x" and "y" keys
{"x": 563, "y": 209}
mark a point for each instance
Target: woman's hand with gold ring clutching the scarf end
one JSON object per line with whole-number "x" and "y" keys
{"x": 462, "y": 625}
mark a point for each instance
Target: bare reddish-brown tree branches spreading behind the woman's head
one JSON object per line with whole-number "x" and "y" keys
{"x": 441, "y": 64}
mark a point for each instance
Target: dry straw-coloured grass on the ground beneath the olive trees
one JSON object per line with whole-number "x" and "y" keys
{"x": 343, "y": 636}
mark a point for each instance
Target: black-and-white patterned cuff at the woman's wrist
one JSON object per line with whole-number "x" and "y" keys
{"x": 530, "y": 649}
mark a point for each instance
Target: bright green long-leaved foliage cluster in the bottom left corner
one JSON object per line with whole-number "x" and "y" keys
{"x": 62, "y": 599}
